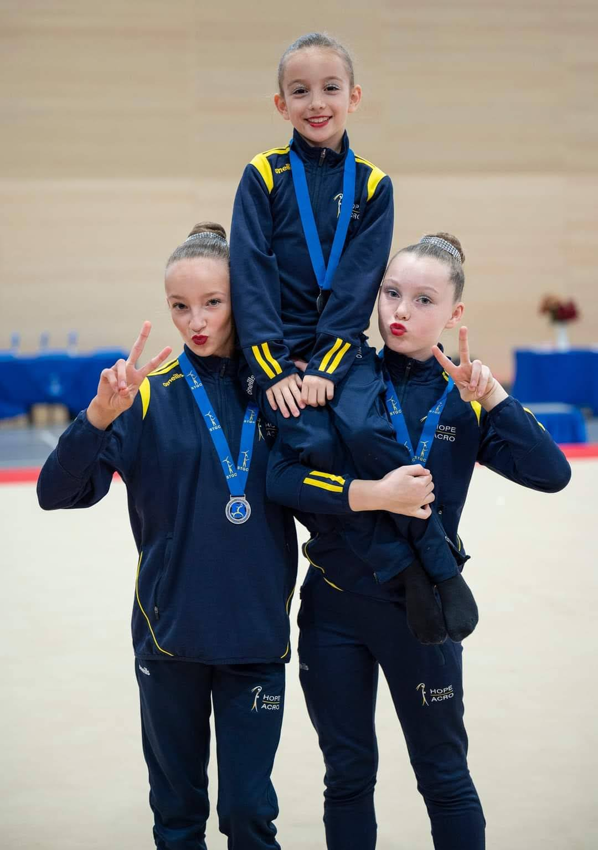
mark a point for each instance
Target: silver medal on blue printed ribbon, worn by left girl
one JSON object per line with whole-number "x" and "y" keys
{"x": 238, "y": 509}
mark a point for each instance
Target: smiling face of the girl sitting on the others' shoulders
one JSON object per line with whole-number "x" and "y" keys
{"x": 317, "y": 96}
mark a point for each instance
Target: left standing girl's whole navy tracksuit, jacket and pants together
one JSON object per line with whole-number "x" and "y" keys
{"x": 206, "y": 591}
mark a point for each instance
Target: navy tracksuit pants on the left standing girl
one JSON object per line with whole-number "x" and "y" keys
{"x": 176, "y": 698}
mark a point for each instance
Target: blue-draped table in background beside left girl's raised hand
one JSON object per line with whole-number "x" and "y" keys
{"x": 55, "y": 377}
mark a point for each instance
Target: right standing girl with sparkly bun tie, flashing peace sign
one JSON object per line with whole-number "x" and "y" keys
{"x": 451, "y": 417}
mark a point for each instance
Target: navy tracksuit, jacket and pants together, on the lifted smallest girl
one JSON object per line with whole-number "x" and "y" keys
{"x": 274, "y": 299}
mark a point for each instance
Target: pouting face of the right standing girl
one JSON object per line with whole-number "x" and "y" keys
{"x": 416, "y": 304}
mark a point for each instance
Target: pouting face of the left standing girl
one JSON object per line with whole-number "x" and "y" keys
{"x": 198, "y": 296}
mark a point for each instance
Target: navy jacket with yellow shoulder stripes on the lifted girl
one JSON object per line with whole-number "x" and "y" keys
{"x": 274, "y": 287}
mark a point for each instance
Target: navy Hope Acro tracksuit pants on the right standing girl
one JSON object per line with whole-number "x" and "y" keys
{"x": 344, "y": 639}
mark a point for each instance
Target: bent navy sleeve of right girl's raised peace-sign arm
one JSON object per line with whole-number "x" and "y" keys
{"x": 517, "y": 446}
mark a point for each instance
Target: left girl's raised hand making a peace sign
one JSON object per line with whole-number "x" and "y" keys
{"x": 120, "y": 384}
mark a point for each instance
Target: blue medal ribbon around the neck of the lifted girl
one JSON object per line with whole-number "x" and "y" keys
{"x": 324, "y": 273}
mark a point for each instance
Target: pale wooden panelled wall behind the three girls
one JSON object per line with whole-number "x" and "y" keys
{"x": 124, "y": 123}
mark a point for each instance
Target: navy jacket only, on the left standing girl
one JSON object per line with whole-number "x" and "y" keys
{"x": 205, "y": 590}
